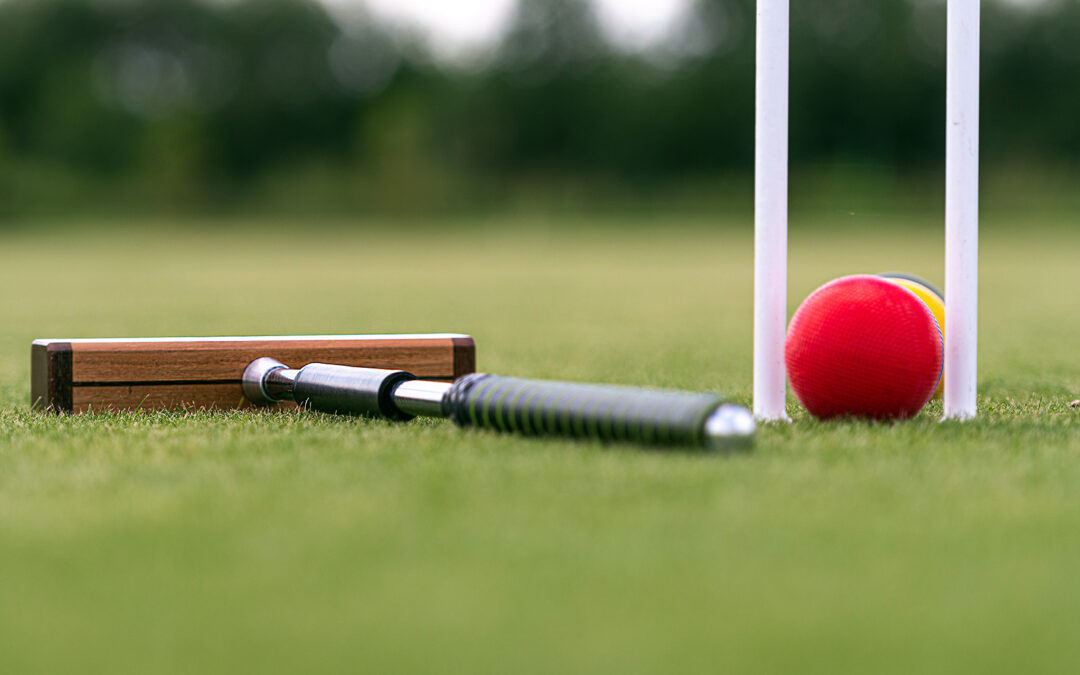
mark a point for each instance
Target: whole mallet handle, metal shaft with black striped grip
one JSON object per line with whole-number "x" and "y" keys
{"x": 531, "y": 408}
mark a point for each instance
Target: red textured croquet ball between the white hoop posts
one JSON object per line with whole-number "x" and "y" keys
{"x": 863, "y": 347}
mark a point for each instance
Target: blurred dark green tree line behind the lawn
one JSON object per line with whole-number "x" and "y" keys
{"x": 183, "y": 102}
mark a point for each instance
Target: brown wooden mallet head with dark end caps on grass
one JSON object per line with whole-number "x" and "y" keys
{"x": 99, "y": 375}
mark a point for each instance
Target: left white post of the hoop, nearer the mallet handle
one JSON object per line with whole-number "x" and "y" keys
{"x": 771, "y": 210}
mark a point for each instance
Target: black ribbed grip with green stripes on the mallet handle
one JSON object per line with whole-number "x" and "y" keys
{"x": 580, "y": 411}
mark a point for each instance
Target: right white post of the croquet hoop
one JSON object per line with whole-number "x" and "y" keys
{"x": 962, "y": 210}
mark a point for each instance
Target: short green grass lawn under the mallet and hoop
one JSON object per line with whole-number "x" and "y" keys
{"x": 261, "y": 543}
